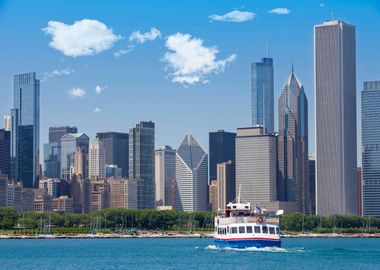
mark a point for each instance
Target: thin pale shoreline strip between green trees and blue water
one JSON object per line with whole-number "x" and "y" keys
{"x": 173, "y": 236}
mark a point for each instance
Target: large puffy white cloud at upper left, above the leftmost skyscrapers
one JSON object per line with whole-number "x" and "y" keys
{"x": 85, "y": 37}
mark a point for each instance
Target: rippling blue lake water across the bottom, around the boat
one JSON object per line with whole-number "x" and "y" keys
{"x": 187, "y": 254}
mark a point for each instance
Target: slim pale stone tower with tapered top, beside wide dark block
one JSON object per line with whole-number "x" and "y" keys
{"x": 96, "y": 160}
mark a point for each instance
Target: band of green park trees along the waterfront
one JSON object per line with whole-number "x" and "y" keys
{"x": 127, "y": 221}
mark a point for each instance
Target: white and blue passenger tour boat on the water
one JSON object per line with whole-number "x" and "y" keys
{"x": 243, "y": 226}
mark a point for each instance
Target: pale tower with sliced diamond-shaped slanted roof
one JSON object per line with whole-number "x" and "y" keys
{"x": 191, "y": 176}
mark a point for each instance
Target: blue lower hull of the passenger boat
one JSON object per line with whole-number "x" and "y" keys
{"x": 247, "y": 243}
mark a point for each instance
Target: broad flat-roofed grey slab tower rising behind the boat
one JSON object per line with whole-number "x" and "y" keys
{"x": 256, "y": 165}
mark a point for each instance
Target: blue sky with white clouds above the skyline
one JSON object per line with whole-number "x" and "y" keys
{"x": 106, "y": 65}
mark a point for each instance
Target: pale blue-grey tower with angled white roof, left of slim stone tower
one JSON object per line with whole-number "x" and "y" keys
{"x": 74, "y": 148}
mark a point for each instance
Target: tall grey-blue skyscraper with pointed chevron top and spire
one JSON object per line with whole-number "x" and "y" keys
{"x": 293, "y": 178}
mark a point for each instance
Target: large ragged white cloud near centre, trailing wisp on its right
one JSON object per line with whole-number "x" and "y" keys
{"x": 189, "y": 61}
